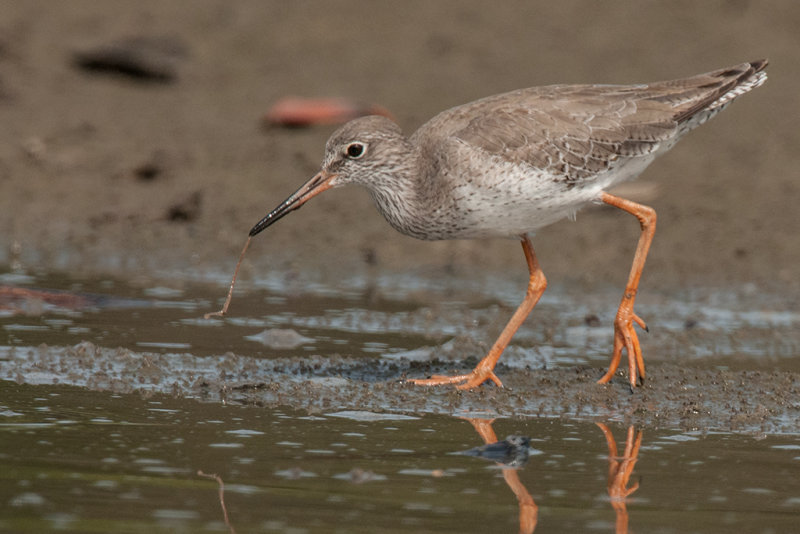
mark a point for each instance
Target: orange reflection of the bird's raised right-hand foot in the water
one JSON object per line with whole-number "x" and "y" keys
{"x": 620, "y": 469}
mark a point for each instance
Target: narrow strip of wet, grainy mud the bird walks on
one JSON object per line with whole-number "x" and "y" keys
{"x": 673, "y": 396}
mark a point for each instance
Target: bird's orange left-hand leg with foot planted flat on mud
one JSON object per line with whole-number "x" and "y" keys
{"x": 485, "y": 368}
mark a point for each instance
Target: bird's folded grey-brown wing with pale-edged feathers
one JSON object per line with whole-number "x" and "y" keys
{"x": 577, "y": 131}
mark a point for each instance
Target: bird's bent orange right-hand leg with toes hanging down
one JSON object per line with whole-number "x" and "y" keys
{"x": 624, "y": 335}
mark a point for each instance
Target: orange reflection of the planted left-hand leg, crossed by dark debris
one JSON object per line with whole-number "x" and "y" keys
{"x": 511, "y": 454}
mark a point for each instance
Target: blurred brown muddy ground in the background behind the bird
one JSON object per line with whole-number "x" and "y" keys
{"x": 108, "y": 174}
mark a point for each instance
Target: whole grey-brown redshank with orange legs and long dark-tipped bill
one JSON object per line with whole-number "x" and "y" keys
{"x": 511, "y": 164}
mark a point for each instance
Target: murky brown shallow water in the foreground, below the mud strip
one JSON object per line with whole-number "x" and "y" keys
{"x": 82, "y": 461}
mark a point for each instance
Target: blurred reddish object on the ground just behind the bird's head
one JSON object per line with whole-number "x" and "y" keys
{"x": 297, "y": 111}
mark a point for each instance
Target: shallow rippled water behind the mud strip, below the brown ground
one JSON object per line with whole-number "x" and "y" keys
{"x": 723, "y": 330}
